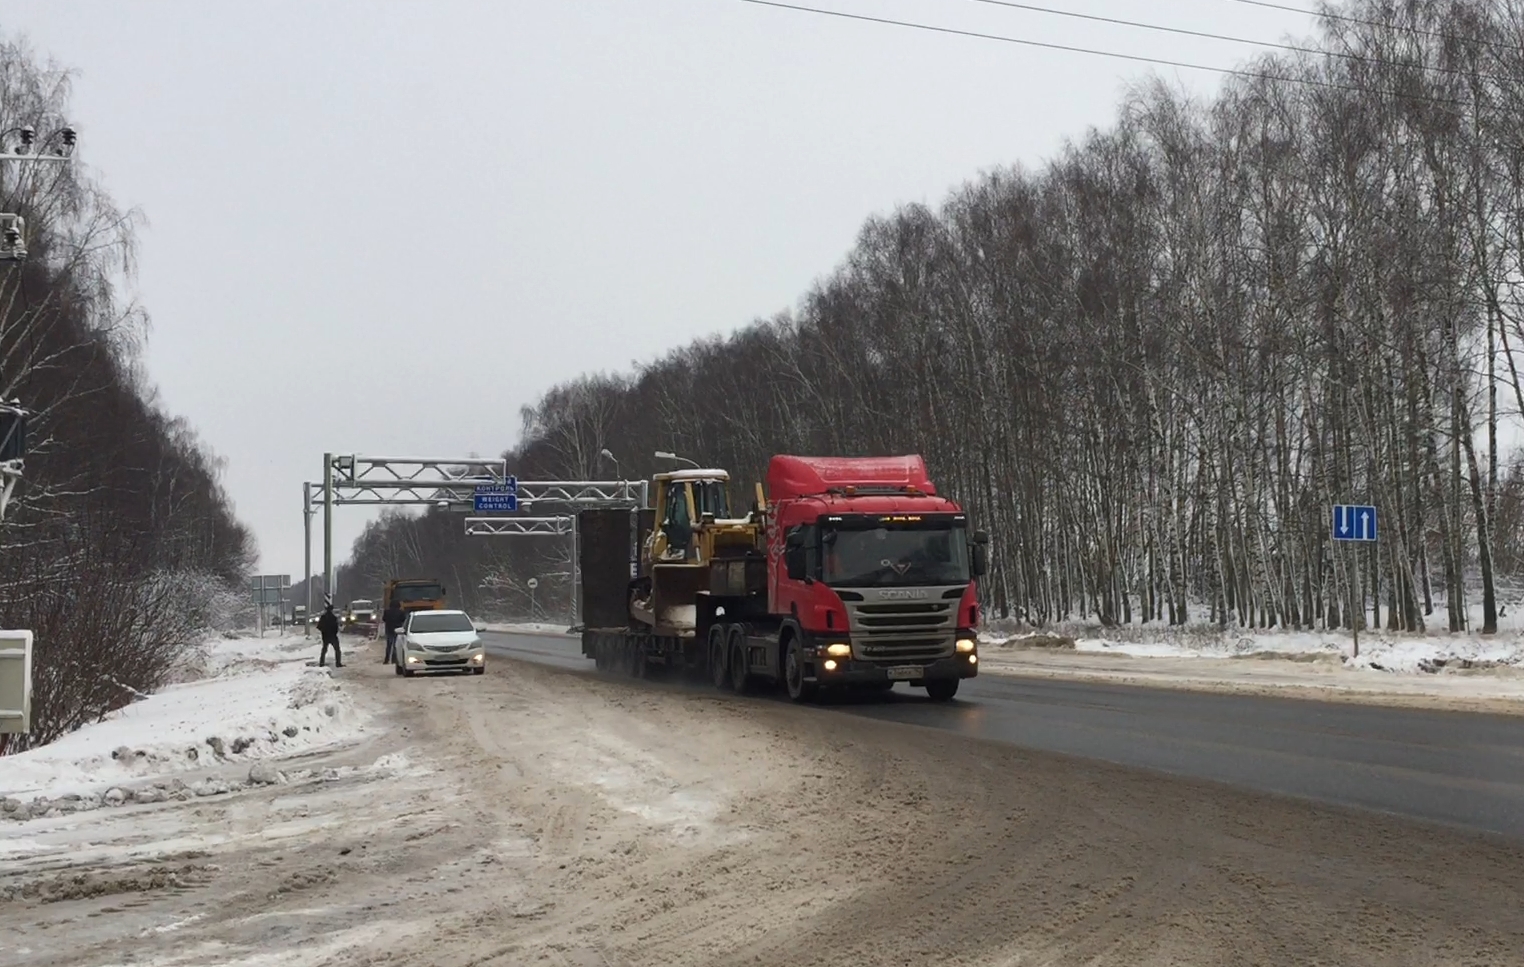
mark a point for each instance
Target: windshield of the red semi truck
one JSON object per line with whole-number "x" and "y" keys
{"x": 895, "y": 555}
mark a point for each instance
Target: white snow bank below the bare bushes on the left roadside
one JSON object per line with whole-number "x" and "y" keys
{"x": 260, "y": 701}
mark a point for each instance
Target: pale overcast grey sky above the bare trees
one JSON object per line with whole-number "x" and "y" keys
{"x": 385, "y": 226}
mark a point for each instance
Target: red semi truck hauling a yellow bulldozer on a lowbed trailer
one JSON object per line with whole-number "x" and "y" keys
{"x": 848, "y": 573}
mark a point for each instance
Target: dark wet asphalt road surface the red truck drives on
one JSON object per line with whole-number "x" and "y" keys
{"x": 1453, "y": 768}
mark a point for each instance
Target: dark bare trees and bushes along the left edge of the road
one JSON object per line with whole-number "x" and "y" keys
{"x": 121, "y": 549}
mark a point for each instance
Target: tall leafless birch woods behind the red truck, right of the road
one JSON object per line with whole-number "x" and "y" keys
{"x": 1151, "y": 365}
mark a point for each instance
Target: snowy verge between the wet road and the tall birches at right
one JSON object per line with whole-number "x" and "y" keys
{"x": 1429, "y": 671}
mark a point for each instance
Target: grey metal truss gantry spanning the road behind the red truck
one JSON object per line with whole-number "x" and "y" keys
{"x": 447, "y": 483}
